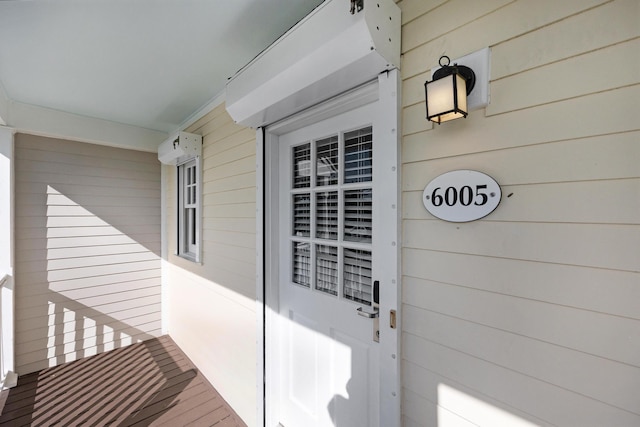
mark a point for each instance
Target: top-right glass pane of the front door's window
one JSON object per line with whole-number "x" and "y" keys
{"x": 358, "y": 155}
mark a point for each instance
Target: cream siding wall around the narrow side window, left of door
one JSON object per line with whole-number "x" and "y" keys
{"x": 212, "y": 312}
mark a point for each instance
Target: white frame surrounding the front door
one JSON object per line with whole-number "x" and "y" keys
{"x": 387, "y": 90}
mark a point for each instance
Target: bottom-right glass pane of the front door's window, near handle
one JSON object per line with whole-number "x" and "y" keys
{"x": 357, "y": 275}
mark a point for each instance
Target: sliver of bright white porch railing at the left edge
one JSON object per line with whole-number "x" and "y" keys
{"x": 8, "y": 378}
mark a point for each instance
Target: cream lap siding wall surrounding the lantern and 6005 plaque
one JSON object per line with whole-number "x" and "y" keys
{"x": 530, "y": 315}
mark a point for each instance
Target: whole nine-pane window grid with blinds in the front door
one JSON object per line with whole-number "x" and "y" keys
{"x": 341, "y": 214}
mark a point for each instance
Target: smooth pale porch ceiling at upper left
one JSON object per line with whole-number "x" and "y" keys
{"x": 146, "y": 63}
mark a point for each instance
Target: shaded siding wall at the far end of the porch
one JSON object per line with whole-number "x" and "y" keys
{"x": 87, "y": 250}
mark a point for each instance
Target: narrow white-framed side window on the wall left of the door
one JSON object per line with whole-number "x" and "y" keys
{"x": 189, "y": 215}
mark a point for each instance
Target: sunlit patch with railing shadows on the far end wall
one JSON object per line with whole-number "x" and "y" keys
{"x": 103, "y": 287}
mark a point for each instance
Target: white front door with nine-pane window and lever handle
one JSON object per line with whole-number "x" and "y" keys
{"x": 333, "y": 273}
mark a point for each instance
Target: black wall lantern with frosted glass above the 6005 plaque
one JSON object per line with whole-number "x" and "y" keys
{"x": 446, "y": 94}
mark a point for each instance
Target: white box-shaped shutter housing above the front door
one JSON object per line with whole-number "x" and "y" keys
{"x": 327, "y": 53}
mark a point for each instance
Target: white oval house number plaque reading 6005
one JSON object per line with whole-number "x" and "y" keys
{"x": 461, "y": 196}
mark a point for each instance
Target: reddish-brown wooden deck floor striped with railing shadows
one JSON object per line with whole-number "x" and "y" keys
{"x": 146, "y": 384}
